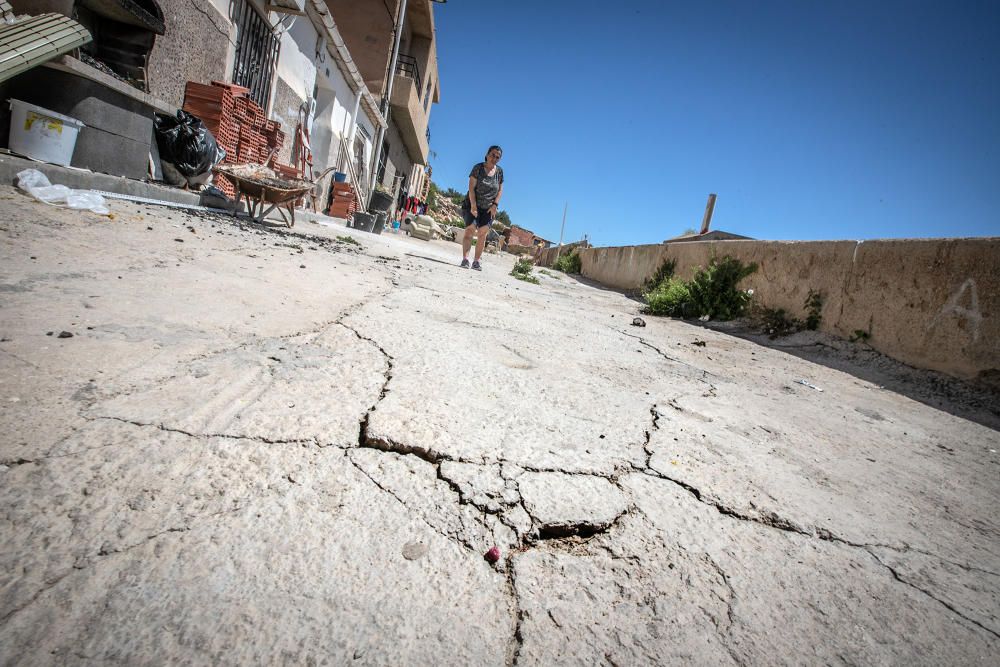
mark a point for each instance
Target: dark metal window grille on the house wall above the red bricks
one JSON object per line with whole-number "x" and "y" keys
{"x": 256, "y": 52}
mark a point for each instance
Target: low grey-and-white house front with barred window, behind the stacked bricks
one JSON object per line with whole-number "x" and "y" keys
{"x": 295, "y": 62}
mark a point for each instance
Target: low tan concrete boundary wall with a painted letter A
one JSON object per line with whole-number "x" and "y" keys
{"x": 931, "y": 303}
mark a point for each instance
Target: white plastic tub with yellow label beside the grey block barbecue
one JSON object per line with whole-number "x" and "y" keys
{"x": 42, "y": 134}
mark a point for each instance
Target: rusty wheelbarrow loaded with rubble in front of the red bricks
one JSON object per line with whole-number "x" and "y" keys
{"x": 265, "y": 191}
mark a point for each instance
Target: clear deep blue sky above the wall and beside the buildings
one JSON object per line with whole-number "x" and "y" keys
{"x": 810, "y": 120}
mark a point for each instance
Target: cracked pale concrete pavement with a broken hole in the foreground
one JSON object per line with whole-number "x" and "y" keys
{"x": 263, "y": 446}
